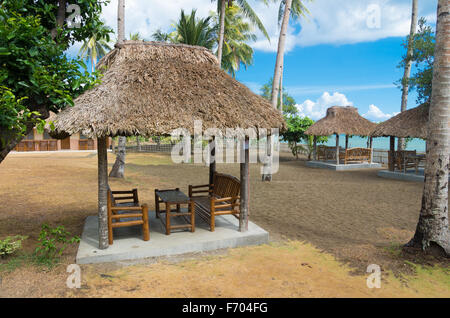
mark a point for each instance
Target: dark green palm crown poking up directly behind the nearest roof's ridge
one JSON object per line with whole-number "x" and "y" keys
{"x": 194, "y": 31}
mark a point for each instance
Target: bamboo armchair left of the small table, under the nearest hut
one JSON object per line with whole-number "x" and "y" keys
{"x": 126, "y": 207}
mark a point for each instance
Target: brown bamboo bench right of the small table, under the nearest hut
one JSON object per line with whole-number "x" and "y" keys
{"x": 220, "y": 198}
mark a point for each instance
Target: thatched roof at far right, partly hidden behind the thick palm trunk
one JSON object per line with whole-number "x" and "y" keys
{"x": 411, "y": 123}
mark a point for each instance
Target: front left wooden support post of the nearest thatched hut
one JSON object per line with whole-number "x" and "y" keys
{"x": 102, "y": 193}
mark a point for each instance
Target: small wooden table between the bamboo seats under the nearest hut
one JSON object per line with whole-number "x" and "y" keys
{"x": 175, "y": 197}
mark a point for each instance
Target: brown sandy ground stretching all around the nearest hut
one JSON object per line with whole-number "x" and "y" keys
{"x": 348, "y": 220}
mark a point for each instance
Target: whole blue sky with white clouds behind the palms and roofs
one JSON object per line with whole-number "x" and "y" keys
{"x": 345, "y": 52}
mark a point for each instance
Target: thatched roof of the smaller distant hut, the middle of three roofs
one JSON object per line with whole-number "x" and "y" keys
{"x": 342, "y": 120}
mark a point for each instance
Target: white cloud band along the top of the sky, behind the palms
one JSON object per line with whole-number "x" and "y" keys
{"x": 329, "y": 21}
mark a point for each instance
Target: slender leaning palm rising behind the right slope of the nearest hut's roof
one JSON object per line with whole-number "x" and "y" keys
{"x": 288, "y": 9}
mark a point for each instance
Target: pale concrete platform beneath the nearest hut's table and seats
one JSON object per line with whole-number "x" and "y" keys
{"x": 128, "y": 243}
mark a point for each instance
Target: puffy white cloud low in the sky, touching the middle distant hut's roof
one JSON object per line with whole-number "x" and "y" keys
{"x": 316, "y": 110}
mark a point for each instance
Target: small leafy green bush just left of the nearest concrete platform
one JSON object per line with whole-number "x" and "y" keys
{"x": 52, "y": 243}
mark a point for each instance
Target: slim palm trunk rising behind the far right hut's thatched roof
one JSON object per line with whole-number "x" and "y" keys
{"x": 407, "y": 73}
